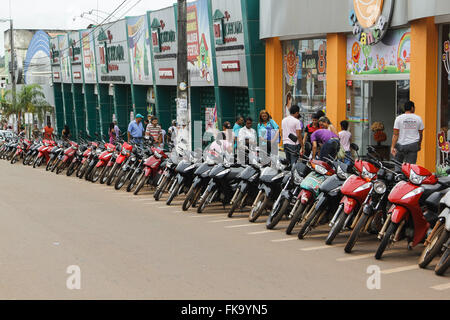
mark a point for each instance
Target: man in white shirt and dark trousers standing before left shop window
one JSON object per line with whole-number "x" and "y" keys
{"x": 292, "y": 135}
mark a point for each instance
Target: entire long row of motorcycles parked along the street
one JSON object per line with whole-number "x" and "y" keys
{"x": 391, "y": 200}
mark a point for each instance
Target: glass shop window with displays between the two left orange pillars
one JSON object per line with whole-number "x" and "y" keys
{"x": 304, "y": 76}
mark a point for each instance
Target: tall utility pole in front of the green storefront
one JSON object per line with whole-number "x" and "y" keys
{"x": 182, "y": 73}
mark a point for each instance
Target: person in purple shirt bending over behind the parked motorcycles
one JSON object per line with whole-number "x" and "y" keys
{"x": 326, "y": 140}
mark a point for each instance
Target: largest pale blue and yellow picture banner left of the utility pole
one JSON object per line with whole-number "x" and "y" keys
{"x": 139, "y": 46}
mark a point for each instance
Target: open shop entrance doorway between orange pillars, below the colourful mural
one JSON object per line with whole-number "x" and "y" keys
{"x": 374, "y": 101}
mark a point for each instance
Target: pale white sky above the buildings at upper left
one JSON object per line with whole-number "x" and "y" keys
{"x": 59, "y": 14}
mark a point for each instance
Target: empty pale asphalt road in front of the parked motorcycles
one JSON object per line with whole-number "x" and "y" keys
{"x": 131, "y": 247}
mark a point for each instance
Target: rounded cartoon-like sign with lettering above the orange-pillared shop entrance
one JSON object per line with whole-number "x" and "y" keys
{"x": 370, "y": 19}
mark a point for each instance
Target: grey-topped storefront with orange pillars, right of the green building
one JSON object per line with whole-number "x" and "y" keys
{"x": 375, "y": 61}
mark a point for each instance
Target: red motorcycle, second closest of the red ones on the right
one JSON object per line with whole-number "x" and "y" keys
{"x": 355, "y": 192}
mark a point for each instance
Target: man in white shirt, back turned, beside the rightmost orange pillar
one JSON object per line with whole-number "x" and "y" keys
{"x": 408, "y": 135}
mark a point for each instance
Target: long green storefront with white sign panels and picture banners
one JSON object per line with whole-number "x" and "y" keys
{"x": 112, "y": 72}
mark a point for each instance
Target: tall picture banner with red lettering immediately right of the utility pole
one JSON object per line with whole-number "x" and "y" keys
{"x": 199, "y": 44}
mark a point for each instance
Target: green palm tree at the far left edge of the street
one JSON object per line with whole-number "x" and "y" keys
{"x": 30, "y": 99}
